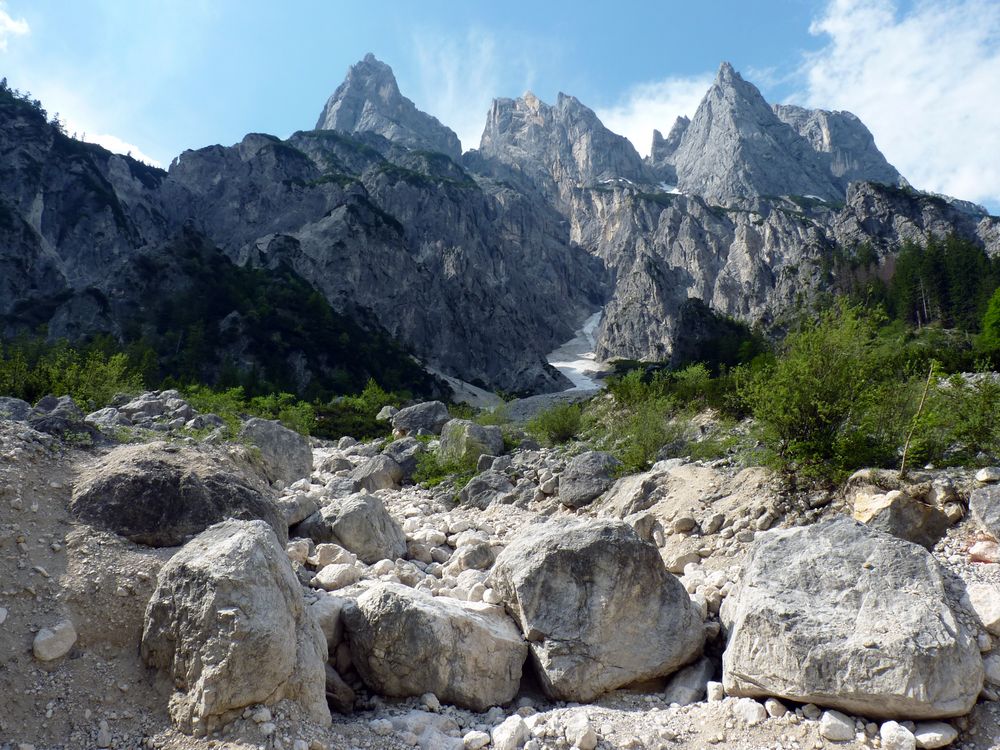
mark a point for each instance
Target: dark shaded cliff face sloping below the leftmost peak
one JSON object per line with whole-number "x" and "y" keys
{"x": 448, "y": 264}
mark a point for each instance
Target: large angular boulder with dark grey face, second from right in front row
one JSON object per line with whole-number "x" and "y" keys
{"x": 597, "y": 606}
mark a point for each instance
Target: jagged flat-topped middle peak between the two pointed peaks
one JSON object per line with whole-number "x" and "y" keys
{"x": 554, "y": 148}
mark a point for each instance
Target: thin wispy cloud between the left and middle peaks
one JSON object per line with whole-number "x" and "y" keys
{"x": 459, "y": 76}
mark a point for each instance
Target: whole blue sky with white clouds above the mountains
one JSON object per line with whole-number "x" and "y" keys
{"x": 155, "y": 77}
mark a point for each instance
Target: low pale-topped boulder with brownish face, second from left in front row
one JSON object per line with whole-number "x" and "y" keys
{"x": 405, "y": 642}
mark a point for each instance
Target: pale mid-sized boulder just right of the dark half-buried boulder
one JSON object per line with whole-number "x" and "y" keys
{"x": 359, "y": 523}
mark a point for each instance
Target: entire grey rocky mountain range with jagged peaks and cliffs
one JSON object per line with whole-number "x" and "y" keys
{"x": 554, "y": 216}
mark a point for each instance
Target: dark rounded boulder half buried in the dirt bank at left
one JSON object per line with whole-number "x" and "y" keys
{"x": 160, "y": 495}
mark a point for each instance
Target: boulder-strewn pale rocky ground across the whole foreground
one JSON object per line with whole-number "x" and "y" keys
{"x": 114, "y": 634}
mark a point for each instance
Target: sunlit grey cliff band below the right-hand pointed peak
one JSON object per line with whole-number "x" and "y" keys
{"x": 754, "y": 262}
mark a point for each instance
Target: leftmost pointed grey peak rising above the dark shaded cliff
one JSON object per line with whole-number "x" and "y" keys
{"x": 369, "y": 100}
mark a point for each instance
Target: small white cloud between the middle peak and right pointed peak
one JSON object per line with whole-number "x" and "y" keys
{"x": 649, "y": 106}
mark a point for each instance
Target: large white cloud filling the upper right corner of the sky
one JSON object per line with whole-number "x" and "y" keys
{"x": 924, "y": 81}
